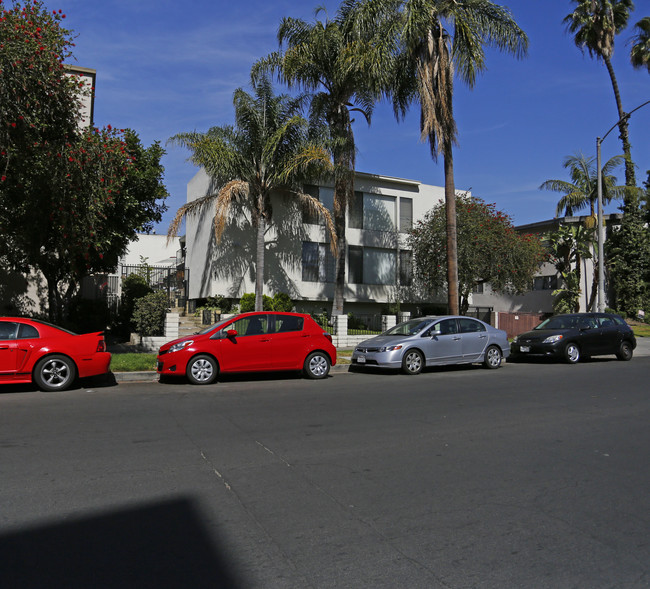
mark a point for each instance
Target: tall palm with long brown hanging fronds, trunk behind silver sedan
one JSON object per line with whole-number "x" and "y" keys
{"x": 438, "y": 39}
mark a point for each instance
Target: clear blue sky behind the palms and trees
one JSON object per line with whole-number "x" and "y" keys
{"x": 165, "y": 66}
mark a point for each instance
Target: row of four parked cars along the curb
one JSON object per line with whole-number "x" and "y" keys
{"x": 51, "y": 357}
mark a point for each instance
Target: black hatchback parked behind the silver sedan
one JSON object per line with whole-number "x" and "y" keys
{"x": 574, "y": 336}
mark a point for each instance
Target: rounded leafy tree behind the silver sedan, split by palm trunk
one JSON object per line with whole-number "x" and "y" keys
{"x": 489, "y": 250}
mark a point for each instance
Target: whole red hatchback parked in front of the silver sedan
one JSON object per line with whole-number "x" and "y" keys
{"x": 250, "y": 342}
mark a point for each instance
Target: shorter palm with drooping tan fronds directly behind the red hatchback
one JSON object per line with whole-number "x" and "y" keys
{"x": 267, "y": 150}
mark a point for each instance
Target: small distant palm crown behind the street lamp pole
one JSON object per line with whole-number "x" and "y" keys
{"x": 582, "y": 191}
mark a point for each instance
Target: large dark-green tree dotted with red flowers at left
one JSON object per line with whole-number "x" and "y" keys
{"x": 70, "y": 199}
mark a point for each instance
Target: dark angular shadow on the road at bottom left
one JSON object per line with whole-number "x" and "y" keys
{"x": 163, "y": 545}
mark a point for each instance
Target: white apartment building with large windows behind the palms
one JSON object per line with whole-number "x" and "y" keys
{"x": 298, "y": 259}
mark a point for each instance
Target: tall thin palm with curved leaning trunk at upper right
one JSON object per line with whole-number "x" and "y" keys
{"x": 595, "y": 24}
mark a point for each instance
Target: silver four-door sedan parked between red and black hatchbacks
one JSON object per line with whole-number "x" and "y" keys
{"x": 434, "y": 341}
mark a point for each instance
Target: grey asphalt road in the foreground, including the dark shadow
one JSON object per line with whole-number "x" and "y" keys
{"x": 533, "y": 475}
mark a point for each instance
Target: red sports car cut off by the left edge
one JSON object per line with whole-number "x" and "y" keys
{"x": 51, "y": 357}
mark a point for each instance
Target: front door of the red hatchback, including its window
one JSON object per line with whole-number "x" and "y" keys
{"x": 249, "y": 350}
